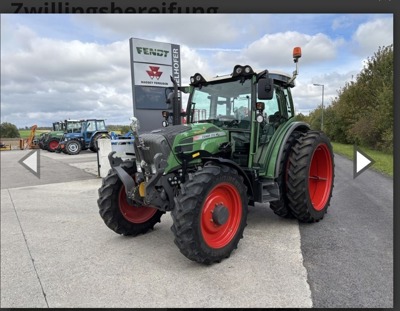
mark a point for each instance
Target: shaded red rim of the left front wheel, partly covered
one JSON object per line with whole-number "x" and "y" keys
{"x": 133, "y": 213}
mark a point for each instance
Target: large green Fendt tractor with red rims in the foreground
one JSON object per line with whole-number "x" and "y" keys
{"x": 240, "y": 145}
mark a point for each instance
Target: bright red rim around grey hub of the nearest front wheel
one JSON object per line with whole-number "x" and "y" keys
{"x": 218, "y": 236}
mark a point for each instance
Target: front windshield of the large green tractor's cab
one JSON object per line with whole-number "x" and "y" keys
{"x": 226, "y": 102}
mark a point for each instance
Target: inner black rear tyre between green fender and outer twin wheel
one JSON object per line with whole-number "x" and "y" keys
{"x": 281, "y": 207}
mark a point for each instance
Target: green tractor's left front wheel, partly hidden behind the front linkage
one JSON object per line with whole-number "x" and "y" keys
{"x": 117, "y": 214}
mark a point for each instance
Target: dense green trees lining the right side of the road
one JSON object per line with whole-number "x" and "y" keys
{"x": 362, "y": 112}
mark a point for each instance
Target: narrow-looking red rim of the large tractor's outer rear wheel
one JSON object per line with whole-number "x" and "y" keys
{"x": 320, "y": 177}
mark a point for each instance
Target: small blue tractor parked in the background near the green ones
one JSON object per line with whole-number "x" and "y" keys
{"x": 91, "y": 130}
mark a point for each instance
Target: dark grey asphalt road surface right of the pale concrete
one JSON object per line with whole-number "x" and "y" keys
{"x": 349, "y": 254}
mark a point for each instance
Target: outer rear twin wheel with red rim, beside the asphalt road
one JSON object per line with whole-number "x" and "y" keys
{"x": 310, "y": 177}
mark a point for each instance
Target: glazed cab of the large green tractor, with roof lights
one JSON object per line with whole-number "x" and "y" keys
{"x": 248, "y": 105}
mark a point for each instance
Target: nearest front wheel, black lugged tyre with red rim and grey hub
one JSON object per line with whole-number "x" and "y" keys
{"x": 202, "y": 234}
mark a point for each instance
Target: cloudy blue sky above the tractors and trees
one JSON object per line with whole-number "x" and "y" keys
{"x": 60, "y": 66}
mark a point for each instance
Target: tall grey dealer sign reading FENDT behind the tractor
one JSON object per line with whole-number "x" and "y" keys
{"x": 152, "y": 64}
